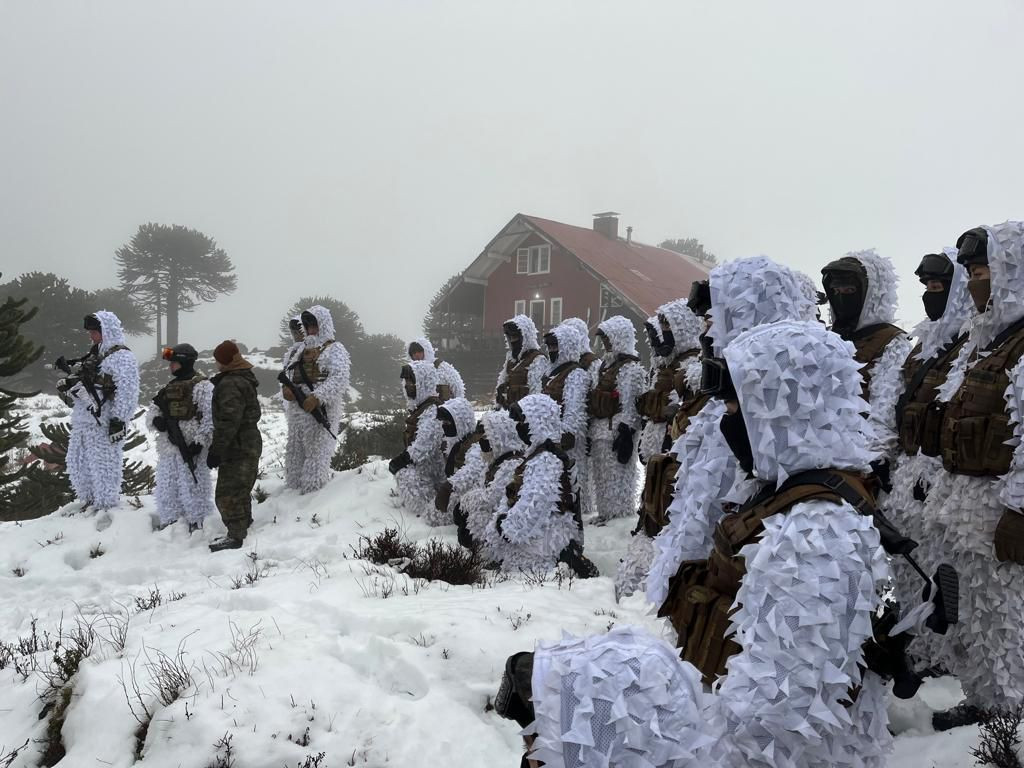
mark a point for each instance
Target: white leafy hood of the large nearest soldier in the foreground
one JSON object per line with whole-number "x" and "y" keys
{"x": 799, "y": 391}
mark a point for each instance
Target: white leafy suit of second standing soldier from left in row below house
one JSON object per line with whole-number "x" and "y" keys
{"x": 569, "y": 385}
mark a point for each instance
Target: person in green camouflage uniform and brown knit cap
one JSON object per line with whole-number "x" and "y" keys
{"x": 237, "y": 444}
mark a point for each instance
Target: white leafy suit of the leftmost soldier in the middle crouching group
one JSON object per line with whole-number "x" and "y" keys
{"x": 418, "y": 483}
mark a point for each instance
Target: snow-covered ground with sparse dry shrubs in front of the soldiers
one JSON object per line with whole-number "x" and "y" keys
{"x": 308, "y": 656}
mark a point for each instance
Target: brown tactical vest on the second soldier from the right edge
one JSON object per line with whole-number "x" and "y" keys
{"x": 920, "y": 428}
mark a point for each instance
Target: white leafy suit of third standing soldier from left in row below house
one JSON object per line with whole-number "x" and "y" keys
{"x": 615, "y": 422}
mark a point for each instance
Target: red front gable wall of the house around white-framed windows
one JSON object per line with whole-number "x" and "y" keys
{"x": 568, "y": 280}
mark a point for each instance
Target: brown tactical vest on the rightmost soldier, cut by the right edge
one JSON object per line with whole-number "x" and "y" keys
{"x": 975, "y": 423}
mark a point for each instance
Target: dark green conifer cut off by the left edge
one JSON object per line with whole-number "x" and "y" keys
{"x": 16, "y": 354}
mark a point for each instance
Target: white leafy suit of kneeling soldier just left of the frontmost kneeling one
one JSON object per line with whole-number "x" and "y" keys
{"x": 481, "y": 505}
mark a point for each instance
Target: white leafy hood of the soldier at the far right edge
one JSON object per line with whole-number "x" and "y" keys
{"x": 1006, "y": 261}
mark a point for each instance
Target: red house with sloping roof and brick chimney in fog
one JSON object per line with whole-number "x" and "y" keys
{"x": 551, "y": 271}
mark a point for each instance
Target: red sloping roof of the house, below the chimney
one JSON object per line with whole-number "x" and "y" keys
{"x": 648, "y": 276}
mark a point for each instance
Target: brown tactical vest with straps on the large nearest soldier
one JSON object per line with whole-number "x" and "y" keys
{"x": 703, "y": 592}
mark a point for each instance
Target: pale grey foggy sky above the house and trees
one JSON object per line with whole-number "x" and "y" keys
{"x": 370, "y": 150}
